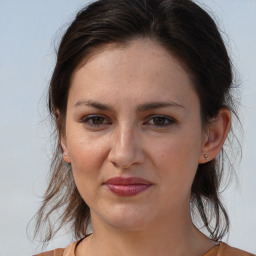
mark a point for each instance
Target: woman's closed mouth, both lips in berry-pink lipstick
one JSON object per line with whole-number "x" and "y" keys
{"x": 127, "y": 186}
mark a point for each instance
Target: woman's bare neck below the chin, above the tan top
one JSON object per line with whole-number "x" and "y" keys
{"x": 177, "y": 235}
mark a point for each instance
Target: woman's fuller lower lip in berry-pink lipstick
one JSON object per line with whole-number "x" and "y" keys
{"x": 127, "y": 190}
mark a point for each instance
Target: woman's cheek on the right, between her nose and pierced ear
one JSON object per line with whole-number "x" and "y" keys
{"x": 176, "y": 158}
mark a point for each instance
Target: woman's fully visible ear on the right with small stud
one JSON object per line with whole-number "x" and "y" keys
{"x": 216, "y": 133}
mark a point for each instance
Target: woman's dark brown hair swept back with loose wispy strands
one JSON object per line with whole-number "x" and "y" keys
{"x": 189, "y": 34}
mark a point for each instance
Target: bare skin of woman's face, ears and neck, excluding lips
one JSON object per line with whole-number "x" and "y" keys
{"x": 133, "y": 137}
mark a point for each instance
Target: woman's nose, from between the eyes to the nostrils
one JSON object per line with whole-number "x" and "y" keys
{"x": 126, "y": 148}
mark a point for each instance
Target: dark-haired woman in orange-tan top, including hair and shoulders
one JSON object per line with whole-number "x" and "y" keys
{"x": 141, "y": 100}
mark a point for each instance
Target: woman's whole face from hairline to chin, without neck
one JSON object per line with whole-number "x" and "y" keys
{"x": 133, "y": 135}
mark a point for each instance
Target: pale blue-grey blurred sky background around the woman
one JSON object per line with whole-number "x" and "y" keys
{"x": 29, "y": 30}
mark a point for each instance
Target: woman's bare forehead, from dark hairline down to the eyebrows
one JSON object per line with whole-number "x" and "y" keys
{"x": 139, "y": 69}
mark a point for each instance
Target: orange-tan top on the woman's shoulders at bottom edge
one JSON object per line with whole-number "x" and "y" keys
{"x": 220, "y": 250}
